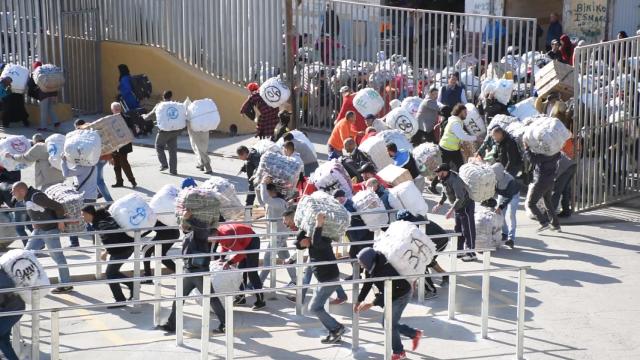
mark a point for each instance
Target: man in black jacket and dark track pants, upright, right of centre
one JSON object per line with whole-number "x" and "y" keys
{"x": 462, "y": 209}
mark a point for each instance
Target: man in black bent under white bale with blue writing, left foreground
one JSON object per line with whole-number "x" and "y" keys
{"x": 102, "y": 220}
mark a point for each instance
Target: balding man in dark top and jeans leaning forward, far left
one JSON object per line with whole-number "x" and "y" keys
{"x": 41, "y": 208}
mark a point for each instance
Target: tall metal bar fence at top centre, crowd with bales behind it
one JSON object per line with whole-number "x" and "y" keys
{"x": 400, "y": 52}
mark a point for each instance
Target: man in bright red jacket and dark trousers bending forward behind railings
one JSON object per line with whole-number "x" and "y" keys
{"x": 244, "y": 261}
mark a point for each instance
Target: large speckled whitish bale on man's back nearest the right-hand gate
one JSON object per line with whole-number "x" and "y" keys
{"x": 546, "y": 136}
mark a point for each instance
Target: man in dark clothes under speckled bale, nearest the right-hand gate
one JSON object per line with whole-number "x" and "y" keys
{"x": 544, "y": 174}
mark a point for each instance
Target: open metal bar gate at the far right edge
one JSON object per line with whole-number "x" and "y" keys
{"x": 607, "y": 122}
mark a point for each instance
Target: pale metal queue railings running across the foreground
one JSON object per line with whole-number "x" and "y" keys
{"x": 36, "y": 309}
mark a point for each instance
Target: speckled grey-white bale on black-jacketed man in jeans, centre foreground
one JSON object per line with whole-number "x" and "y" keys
{"x": 337, "y": 218}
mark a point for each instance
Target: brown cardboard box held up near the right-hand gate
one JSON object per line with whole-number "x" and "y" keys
{"x": 555, "y": 77}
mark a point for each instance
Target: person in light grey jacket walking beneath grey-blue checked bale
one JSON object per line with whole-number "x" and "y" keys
{"x": 275, "y": 205}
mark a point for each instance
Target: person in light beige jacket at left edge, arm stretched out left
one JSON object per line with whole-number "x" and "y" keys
{"x": 45, "y": 174}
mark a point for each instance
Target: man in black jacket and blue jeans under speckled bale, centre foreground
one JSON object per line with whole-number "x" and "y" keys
{"x": 320, "y": 249}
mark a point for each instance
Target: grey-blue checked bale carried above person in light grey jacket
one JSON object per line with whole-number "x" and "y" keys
{"x": 282, "y": 169}
